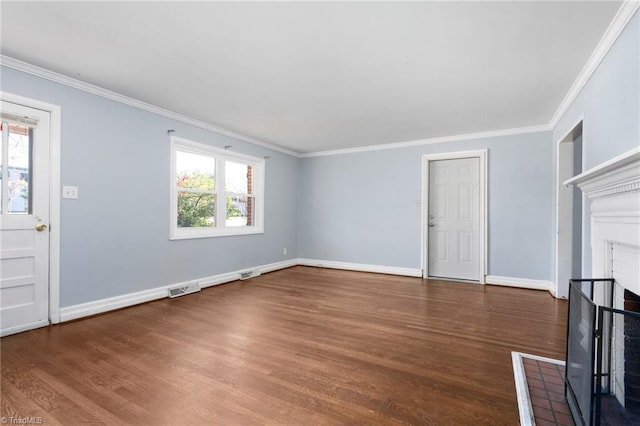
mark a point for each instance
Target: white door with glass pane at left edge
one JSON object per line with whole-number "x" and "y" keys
{"x": 24, "y": 219}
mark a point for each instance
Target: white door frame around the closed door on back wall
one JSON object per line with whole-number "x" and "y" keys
{"x": 481, "y": 154}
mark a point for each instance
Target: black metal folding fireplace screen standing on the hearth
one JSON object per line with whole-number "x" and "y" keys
{"x": 591, "y": 395}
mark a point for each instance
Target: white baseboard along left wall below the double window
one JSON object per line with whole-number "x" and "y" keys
{"x": 104, "y": 305}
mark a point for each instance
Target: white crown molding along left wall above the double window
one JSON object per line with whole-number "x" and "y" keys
{"x": 108, "y": 94}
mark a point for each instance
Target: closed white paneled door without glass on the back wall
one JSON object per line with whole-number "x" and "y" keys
{"x": 454, "y": 219}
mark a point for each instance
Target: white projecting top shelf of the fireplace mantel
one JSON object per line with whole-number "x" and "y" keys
{"x": 620, "y": 174}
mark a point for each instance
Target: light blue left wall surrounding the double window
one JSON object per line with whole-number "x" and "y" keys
{"x": 115, "y": 237}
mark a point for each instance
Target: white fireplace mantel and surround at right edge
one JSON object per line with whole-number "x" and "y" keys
{"x": 613, "y": 189}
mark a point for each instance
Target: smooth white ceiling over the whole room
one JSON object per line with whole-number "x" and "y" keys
{"x": 321, "y": 76}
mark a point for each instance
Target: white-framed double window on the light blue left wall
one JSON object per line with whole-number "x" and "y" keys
{"x": 214, "y": 192}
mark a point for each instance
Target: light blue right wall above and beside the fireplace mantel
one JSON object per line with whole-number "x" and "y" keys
{"x": 610, "y": 105}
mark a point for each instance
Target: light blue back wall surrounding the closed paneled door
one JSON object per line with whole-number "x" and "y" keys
{"x": 364, "y": 207}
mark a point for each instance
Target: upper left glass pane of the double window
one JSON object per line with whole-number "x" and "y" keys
{"x": 195, "y": 171}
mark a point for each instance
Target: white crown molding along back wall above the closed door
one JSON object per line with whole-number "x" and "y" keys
{"x": 429, "y": 141}
